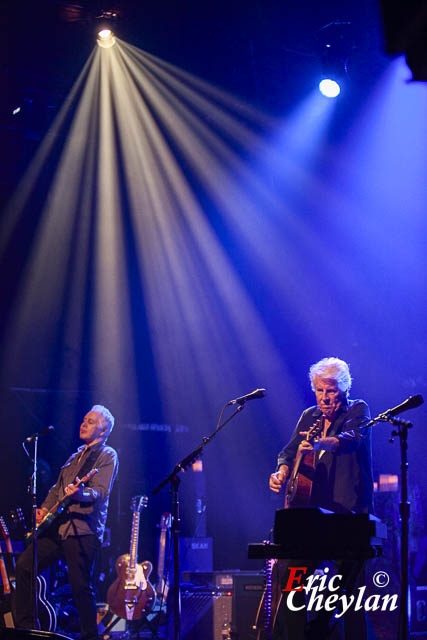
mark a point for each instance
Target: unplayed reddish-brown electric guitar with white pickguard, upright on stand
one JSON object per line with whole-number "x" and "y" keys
{"x": 131, "y": 594}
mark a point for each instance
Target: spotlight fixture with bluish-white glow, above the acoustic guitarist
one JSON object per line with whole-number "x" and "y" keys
{"x": 335, "y": 43}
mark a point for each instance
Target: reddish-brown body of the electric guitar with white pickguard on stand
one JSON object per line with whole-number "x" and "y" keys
{"x": 129, "y": 597}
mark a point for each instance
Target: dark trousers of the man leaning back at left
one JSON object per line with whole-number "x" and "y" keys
{"x": 79, "y": 553}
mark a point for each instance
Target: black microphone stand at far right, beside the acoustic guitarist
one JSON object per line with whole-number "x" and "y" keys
{"x": 404, "y": 509}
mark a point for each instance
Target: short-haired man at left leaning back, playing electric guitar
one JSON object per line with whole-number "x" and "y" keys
{"x": 77, "y": 533}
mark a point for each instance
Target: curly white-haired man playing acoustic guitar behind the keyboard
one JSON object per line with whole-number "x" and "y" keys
{"x": 327, "y": 463}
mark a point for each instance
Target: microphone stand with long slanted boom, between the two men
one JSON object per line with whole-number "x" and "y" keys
{"x": 174, "y": 480}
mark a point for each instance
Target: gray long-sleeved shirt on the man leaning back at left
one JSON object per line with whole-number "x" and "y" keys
{"x": 89, "y": 517}
